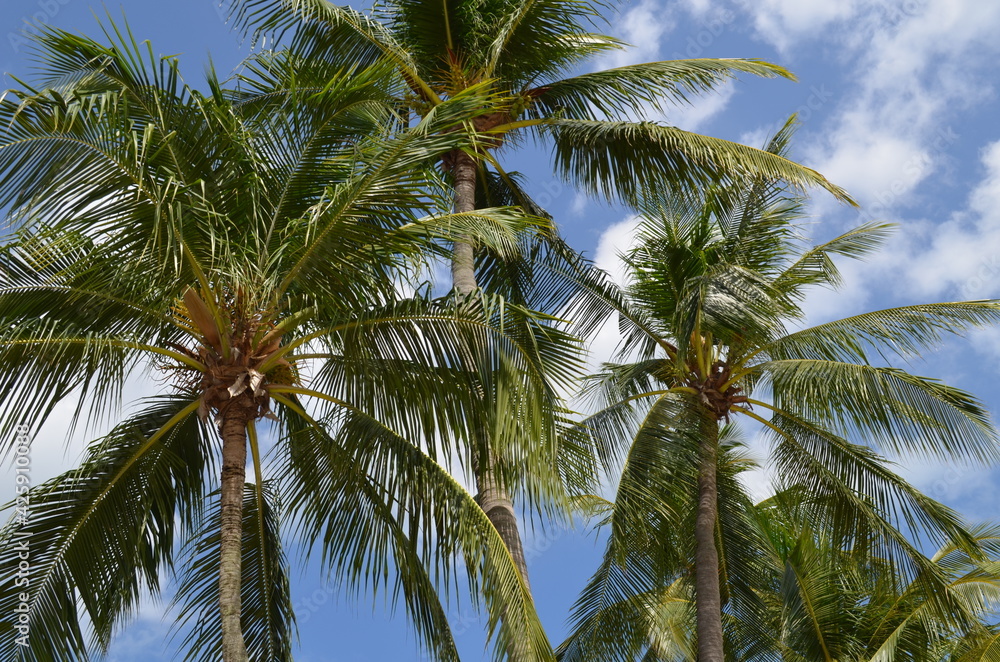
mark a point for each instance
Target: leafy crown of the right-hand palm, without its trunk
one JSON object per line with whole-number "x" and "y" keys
{"x": 708, "y": 324}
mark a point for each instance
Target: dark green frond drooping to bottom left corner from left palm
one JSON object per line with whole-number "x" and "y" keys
{"x": 99, "y": 535}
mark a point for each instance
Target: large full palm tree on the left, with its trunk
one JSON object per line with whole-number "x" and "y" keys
{"x": 252, "y": 260}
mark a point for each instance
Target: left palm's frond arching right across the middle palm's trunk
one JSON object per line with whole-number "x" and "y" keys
{"x": 378, "y": 358}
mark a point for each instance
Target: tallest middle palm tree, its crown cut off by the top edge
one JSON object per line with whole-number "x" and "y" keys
{"x": 507, "y": 60}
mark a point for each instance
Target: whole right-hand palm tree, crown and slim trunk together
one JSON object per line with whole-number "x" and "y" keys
{"x": 715, "y": 285}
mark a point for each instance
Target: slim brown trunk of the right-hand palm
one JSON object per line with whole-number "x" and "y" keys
{"x": 708, "y": 597}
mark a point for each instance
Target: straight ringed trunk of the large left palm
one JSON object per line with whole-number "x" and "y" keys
{"x": 234, "y": 460}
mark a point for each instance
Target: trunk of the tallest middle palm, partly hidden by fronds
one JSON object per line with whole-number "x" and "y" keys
{"x": 494, "y": 500}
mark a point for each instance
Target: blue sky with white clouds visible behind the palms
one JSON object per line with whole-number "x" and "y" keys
{"x": 897, "y": 101}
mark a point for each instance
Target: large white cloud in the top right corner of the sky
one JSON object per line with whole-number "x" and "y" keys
{"x": 915, "y": 64}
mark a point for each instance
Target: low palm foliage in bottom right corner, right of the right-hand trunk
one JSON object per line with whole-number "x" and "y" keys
{"x": 831, "y": 603}
